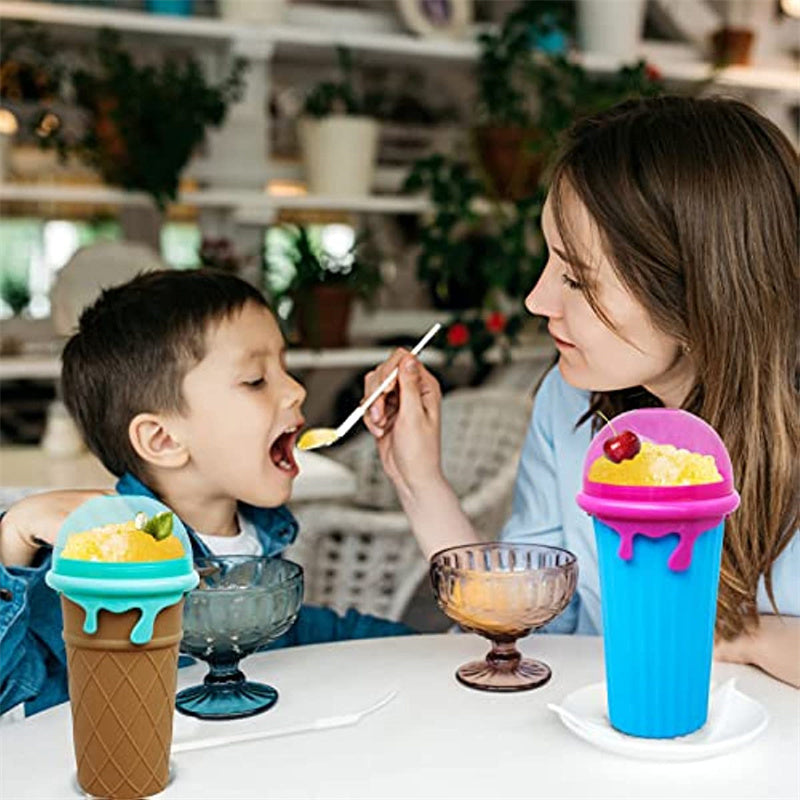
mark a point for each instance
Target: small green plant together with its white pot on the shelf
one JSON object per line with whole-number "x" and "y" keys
{"x": 338, "y": 138}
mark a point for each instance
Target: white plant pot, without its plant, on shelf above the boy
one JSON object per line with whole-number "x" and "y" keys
{"x": 339, "y": 154}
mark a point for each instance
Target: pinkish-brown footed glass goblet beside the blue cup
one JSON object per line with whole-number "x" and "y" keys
{"x": 503, "y": 591}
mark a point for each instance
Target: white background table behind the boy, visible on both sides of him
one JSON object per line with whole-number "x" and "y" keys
{"x": 320, "y": 478}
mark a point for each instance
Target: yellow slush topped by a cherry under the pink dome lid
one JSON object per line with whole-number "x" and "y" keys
{"x": 657, "y": 465}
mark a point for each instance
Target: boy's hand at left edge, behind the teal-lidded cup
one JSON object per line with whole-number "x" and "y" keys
{"x": 34, "y": 522}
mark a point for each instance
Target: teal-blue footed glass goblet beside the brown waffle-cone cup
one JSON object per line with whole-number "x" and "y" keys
{"x": 241, "y": 604}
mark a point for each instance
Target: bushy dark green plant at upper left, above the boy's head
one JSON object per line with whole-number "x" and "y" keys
{"x": 145, "y": 122}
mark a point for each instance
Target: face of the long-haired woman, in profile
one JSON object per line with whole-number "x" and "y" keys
{"x": 593, "y": 356}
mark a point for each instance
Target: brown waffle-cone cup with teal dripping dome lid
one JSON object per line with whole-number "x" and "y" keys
{"x": 122, "y": 631}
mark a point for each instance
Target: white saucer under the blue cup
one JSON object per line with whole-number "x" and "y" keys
{"x": 733, "y": 720}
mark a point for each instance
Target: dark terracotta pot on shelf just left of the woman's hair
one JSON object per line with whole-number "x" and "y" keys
{"x": 511, "y": 164}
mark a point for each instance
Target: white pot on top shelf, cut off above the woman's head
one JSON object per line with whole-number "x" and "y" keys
{"x": 611, "y": 27}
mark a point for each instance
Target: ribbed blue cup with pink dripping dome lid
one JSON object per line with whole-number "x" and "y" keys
{"x": 659, "y": 551}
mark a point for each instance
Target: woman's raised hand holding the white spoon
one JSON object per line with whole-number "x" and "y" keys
{"x": 406, "y": 423}
